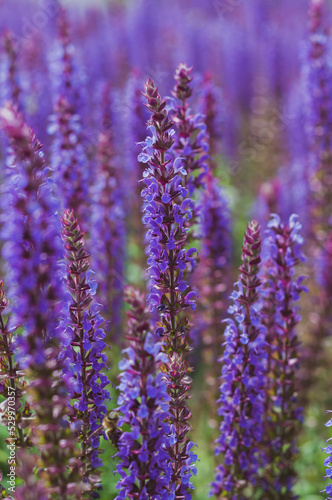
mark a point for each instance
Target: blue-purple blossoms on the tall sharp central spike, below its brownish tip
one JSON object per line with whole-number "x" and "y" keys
{"x": 165, "y": 212}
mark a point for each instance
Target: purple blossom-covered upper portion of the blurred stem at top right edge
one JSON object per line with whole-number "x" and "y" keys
{"x": 319, "y": 121}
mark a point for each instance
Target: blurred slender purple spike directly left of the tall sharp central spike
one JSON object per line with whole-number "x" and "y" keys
{"x": 108, "y": 226}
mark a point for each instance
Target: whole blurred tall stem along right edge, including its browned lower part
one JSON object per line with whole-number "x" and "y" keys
{"x": 319, "y": 122}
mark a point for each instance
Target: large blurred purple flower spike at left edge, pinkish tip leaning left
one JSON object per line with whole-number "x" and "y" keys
{"x": 31, "y": 233}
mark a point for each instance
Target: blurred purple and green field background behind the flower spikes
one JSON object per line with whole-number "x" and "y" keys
{"x": 255, "y": 55}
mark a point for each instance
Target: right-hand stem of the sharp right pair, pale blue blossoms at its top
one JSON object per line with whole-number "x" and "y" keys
{"x": 280, "y": 292}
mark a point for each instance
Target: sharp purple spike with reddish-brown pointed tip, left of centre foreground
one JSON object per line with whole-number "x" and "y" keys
{"x": 84, "y": 353}
